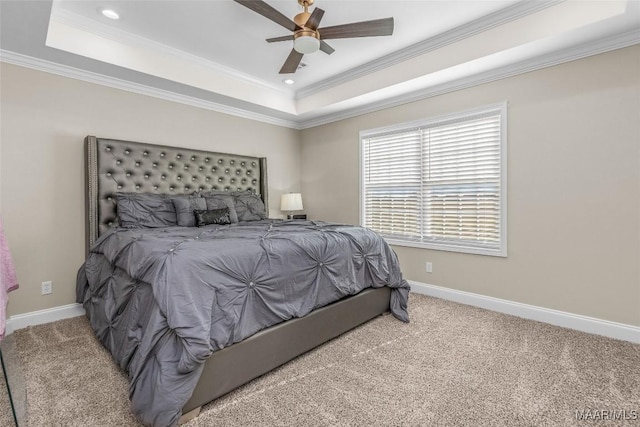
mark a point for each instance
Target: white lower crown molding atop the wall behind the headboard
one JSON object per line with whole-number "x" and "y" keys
{"x": 100, "y": 79}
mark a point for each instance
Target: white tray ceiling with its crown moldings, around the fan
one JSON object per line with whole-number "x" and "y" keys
{"x": 213, "y": 53}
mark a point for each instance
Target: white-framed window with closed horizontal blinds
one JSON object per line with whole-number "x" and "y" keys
{"x": 438, "y": 184}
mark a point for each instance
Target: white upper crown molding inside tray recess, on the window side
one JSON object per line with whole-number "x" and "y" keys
{"x": 477, "y": 26}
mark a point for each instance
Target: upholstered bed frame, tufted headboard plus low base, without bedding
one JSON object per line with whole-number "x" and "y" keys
{"x": 122, "y": 166}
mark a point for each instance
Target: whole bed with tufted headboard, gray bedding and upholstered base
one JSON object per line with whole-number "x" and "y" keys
{"x": 190, "y": 313}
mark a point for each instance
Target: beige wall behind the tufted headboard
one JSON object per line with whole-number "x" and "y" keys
{"x": 44, "y": 121}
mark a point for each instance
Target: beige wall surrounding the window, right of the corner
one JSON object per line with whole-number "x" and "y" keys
{"x": 573, "y": 187}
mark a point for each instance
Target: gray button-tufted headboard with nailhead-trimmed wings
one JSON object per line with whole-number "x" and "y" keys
{"x": 112, "y": 166}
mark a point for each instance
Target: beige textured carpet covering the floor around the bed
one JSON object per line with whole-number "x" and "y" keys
{"x": 453, "y": 365}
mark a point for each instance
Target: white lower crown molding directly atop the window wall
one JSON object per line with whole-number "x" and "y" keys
{"x": 584, "y": 50}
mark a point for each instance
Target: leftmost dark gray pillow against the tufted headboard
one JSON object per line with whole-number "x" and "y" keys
{"x": 145, "y": 210}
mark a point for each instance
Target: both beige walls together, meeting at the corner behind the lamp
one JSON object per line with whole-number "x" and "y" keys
{"x": 574, "y": 178}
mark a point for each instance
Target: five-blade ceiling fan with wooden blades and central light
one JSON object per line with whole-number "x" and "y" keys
{"x": 307, "y": 37}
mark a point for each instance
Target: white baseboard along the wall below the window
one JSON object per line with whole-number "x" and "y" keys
{"x": 578, "y": 322}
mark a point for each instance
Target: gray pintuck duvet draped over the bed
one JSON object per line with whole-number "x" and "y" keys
{"x": 162, "y": 300}
